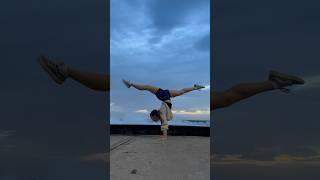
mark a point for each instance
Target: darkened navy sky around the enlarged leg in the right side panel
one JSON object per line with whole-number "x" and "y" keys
{"x": 272, "y": 135}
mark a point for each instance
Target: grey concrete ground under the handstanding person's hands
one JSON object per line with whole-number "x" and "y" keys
{"x": 146, "y": 157}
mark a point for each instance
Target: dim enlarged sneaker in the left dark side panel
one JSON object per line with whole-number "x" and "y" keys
{"x": 55, "y": 70}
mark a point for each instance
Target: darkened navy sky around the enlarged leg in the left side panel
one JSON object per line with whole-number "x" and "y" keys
{"x": 45, "y": 128}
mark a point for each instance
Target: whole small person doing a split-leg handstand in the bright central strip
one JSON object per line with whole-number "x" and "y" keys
{"x": 164, "y": 114}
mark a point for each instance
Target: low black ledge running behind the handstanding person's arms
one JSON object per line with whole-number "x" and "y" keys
{"x": 155, "y": 130}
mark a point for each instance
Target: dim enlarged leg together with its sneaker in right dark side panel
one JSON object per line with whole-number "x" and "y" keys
{"x": 243, "y": 91}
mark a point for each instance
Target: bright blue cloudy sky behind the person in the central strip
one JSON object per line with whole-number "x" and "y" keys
{"x": 165, "y": 43}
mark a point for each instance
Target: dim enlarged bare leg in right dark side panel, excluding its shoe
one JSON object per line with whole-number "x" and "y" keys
{"x": 238, "y": 93}
